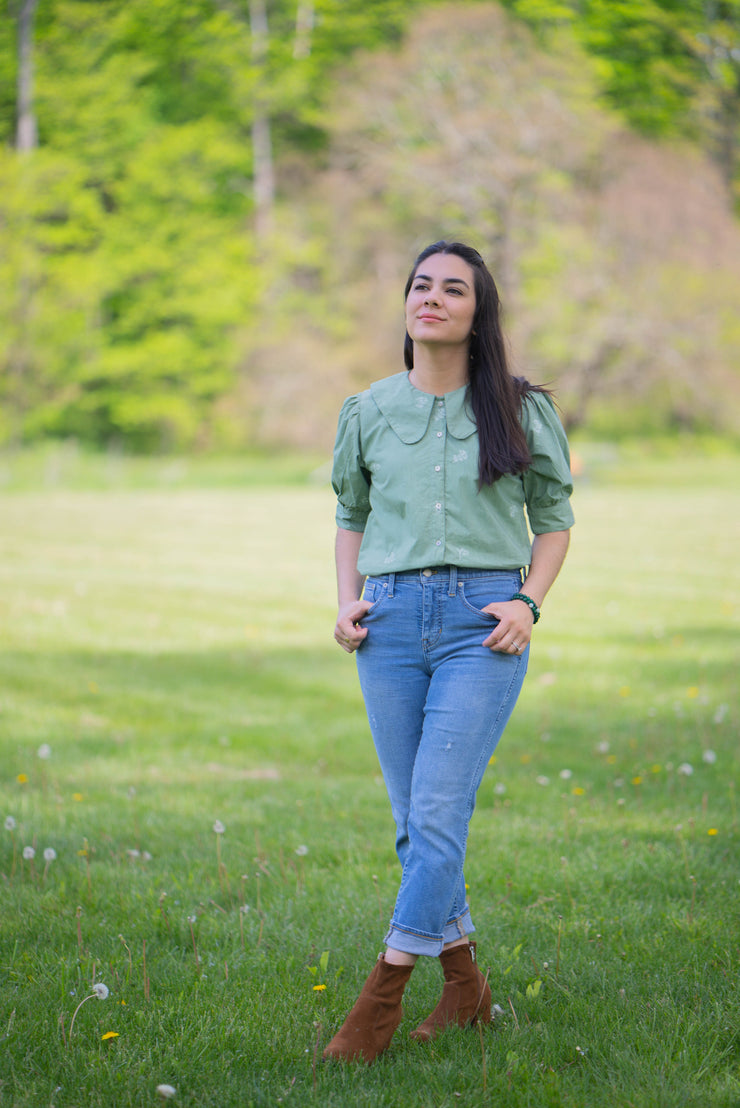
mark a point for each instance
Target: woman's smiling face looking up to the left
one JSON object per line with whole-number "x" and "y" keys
{"x": 441, "y": 302}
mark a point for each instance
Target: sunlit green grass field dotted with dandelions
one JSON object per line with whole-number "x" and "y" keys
{"x": 167, "y": 665}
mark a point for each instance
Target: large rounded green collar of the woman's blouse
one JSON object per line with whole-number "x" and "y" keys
{"x": 408, "y": 411}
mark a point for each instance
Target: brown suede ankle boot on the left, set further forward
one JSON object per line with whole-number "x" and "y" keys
{"x": 369, "y": 1028}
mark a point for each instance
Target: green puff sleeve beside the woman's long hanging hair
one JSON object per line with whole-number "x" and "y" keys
{"x": 548, "y": 483}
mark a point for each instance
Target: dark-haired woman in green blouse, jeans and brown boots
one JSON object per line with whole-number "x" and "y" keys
{"x": 434, "y": 471}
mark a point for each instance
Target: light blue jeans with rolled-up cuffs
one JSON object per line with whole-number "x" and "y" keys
{"x": 438, "y": 703}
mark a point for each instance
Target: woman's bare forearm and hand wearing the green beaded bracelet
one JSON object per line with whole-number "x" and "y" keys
{"x": 516, "y": 618}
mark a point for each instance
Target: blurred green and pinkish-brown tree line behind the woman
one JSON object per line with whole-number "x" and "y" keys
{"x": 208, "y": 208}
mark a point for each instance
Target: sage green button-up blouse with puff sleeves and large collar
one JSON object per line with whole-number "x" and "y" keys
{"x": 406, "y": 474}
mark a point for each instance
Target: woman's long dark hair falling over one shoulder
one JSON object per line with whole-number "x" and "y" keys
{"x": 496, "y": 395}
